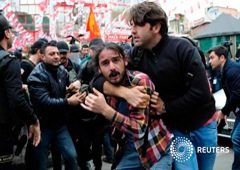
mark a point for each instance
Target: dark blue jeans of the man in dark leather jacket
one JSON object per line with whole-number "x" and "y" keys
{"x": 60, "y": 139}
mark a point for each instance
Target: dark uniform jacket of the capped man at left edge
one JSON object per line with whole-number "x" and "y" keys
{"x": 11, "y": 93}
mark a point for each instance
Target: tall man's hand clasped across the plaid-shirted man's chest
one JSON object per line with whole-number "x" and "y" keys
{"x": 137, "y": 97}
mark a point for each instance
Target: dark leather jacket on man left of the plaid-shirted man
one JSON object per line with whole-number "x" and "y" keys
{"x": 47, "y": 88}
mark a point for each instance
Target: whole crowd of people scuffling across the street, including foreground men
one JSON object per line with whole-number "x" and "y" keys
{"x": 137, "y": 100}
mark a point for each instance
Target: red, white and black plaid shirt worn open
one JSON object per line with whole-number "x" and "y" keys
{"x": 136, "y": 123}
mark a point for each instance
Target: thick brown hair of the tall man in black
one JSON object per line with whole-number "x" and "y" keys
{"x": 148, "y": 12}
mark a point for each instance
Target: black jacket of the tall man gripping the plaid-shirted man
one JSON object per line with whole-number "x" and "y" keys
{"x": 167, "y": 64}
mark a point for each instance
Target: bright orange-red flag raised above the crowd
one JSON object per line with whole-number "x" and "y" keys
{"x": 92, "y": 26}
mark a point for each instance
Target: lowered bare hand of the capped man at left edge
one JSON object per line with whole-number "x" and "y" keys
{"x": 34, "y": 131}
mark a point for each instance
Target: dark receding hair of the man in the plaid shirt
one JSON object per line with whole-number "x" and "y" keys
{"x": 108, "y": 46}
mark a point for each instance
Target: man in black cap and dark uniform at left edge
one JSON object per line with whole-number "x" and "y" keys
{"x": 12, "y": 98}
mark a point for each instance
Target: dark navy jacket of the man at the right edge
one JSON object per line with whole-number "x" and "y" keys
{"x": 231, "y": 85}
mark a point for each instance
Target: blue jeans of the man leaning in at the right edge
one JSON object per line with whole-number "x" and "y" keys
{"x": 236, "y": 143}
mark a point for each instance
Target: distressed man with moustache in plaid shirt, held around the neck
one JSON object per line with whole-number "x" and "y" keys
{"x": 131, "y": 123}
